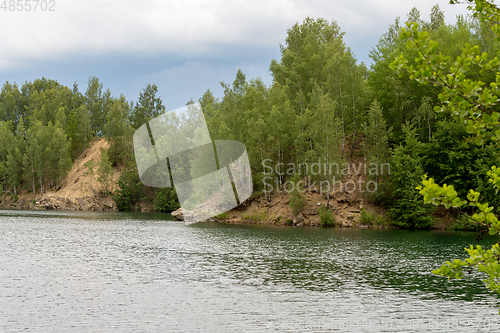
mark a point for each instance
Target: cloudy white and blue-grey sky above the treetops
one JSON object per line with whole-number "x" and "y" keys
{"x": 184, "y": 47}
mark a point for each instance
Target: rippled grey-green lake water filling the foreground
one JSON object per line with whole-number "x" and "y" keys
{"x": 119, "y": 272}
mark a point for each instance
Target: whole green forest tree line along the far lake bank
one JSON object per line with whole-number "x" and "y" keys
{"x": 322, "y": 102}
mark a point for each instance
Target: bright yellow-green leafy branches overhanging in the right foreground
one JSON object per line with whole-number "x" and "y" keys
{"x": 476, "y": 104}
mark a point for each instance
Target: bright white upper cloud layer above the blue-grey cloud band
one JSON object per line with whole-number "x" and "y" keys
{"x": 186, "y": 28}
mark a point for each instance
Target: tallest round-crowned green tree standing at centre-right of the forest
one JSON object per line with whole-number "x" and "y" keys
{"x": 315, "y": 58}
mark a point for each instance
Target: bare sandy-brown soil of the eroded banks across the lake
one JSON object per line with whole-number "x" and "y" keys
{"x": 82, "y": 191}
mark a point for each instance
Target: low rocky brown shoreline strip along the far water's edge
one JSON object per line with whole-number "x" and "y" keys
{"x": 272, "y": 211}
